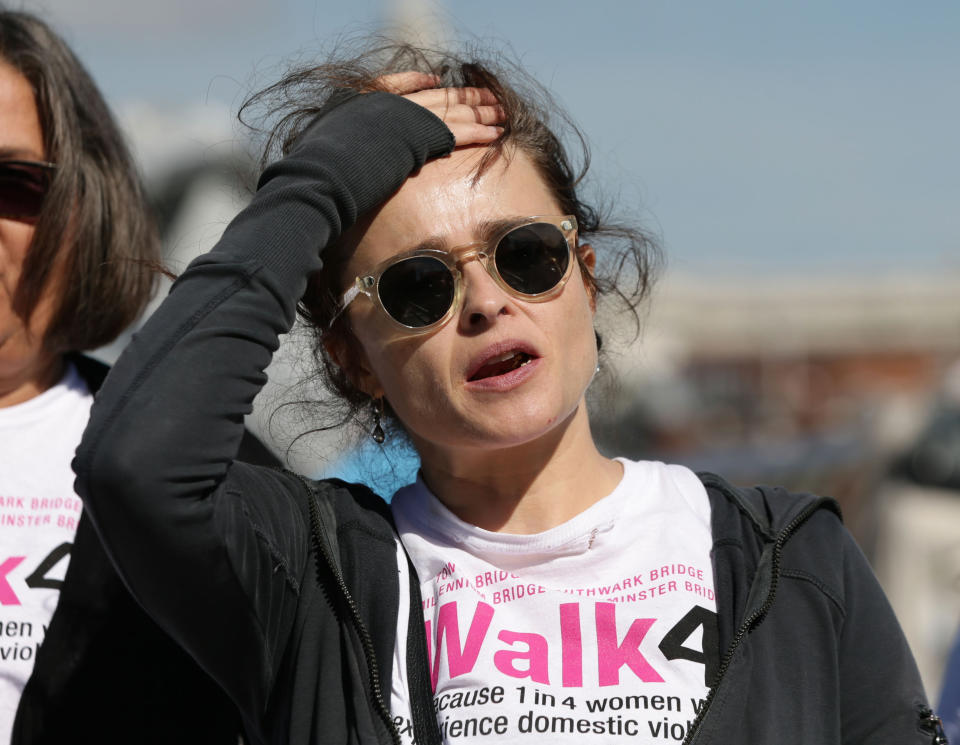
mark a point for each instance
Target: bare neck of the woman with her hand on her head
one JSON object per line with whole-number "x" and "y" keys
{"x": 526, "y": 488}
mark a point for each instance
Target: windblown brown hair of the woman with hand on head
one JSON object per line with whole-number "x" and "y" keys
{"x": 627, "y": 255}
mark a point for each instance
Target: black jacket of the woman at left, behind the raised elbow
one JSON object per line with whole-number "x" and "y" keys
{"x": 106, "y": 673}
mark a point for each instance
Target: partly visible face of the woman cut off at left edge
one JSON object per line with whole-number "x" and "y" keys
{"x": 25, "y": 367}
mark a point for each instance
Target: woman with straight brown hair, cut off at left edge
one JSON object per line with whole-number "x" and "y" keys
{"x": 78, "y": 250}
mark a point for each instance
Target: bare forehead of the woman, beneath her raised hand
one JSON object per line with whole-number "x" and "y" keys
{"x": 447, "y": 205}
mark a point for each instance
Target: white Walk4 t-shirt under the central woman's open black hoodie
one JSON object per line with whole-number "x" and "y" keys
{"x": 602, "y": 629}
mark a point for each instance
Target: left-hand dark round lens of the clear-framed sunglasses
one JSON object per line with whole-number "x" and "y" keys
{"x": 417, "y": 291}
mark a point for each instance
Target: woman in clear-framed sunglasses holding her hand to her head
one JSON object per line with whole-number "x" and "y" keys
{"x": 428, "y": 218}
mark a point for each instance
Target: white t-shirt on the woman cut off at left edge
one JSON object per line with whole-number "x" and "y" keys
{"x": 38, "y": 520}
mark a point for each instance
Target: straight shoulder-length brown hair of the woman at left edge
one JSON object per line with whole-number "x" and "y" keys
{"x": 95, "y": 243}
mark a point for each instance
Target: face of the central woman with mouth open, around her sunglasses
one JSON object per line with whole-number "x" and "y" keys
{"x": 442, "y": 384}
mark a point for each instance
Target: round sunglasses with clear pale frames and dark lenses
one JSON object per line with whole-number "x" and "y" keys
{"x": 420, "y": 290}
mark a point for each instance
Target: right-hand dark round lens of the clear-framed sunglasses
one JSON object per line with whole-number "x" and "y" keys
{"x": 533, "y": 258}
